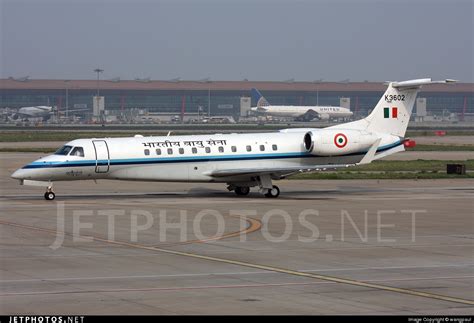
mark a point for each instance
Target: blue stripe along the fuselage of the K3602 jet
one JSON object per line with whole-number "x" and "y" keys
{"x": 144, "y": 161}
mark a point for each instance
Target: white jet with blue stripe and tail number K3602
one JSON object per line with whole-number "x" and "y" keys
{"x": 240, "y": 160}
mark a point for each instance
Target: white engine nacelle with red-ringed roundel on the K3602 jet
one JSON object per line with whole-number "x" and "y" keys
{"x": 335, "y": 142}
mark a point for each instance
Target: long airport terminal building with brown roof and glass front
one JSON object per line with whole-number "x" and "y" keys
{"x": 124, "y": 98}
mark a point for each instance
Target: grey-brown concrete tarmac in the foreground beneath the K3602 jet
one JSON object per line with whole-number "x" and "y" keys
{"x": 322, "y": 247}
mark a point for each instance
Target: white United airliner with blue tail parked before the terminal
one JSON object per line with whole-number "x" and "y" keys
{"x": 299, "y": 112}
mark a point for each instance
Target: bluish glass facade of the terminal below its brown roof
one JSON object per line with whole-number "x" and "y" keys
{"x": 220, "y": 102}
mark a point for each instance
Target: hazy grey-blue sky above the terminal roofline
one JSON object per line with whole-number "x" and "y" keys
{"x": 237, "y": 39}
